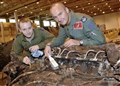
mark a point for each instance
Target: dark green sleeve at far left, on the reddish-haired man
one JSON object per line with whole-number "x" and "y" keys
{"x": 17, "y": 49}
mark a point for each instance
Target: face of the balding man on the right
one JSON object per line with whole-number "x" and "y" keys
{"x": 60, "y": 15}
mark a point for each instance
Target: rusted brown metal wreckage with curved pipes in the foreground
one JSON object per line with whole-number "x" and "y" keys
{"x": 78, "y": 66}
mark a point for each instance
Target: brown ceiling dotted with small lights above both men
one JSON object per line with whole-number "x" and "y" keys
{"x": 35, "y": 8}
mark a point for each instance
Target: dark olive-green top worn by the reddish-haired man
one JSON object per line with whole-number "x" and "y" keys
{"x": 20, "y": 44}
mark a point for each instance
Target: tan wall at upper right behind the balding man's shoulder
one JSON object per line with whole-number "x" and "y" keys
{"x": 110, "y": 20}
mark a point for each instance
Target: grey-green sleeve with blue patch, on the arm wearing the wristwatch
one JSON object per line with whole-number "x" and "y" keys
{"x": 93, "y": 33}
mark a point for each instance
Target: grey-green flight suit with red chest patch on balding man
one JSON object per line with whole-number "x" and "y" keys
{"x": 87, "y": 31}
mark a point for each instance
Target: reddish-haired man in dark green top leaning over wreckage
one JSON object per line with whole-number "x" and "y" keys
{"x": 29, "y": 40}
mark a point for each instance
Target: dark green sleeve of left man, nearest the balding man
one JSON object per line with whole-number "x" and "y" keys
{"x": 46, "y": 38}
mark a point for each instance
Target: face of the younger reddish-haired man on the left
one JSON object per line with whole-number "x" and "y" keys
{"x": 26, "y": 29}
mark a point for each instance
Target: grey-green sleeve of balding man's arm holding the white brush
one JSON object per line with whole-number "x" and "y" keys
{"x": 59, "y": 40}
